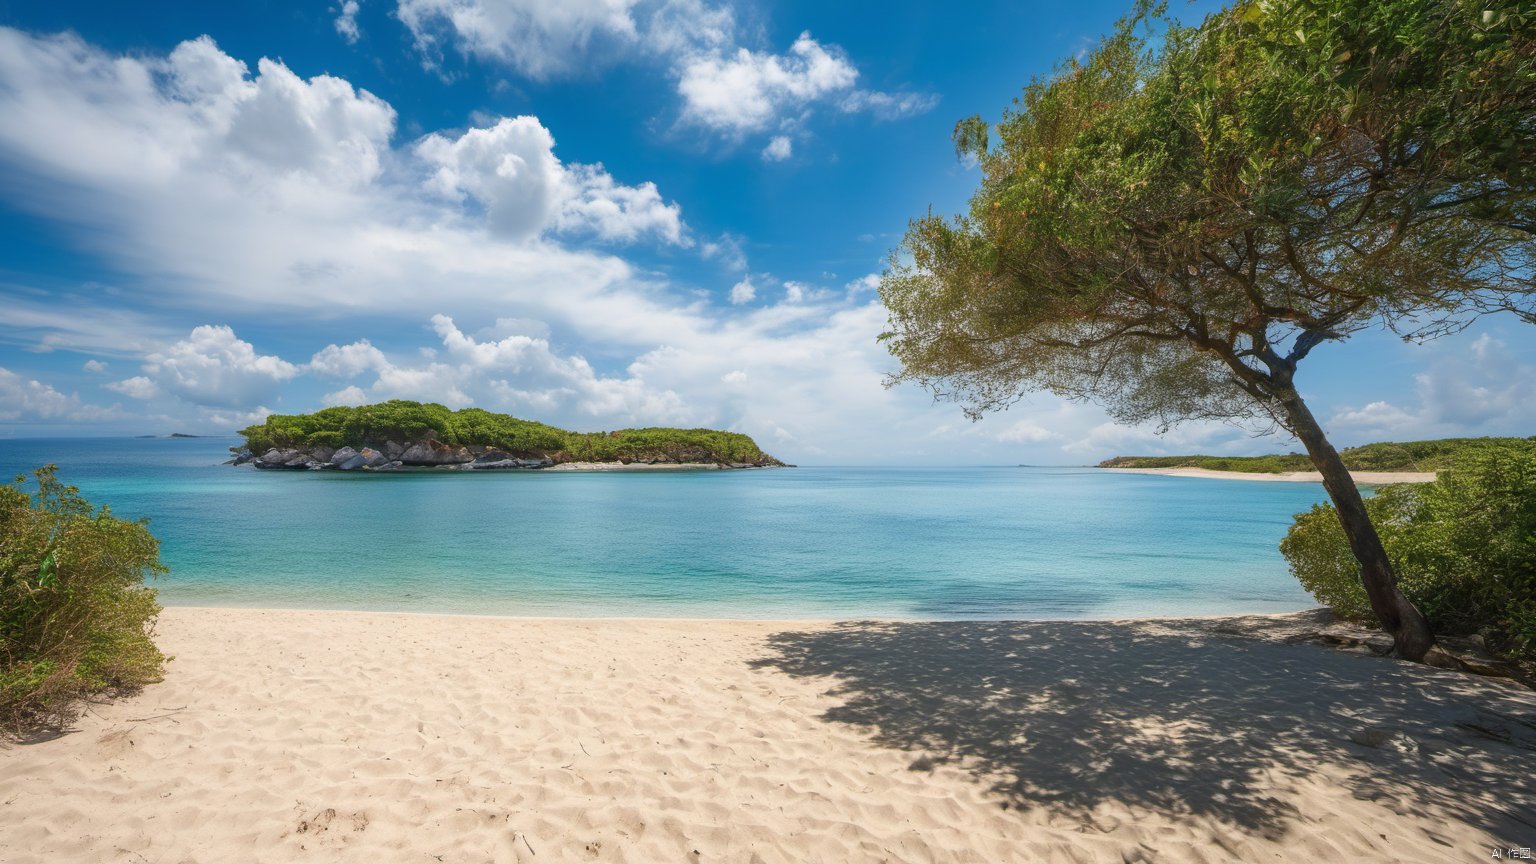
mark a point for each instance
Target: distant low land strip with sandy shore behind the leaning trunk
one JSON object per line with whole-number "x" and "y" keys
{"x": 1385, "y": 462}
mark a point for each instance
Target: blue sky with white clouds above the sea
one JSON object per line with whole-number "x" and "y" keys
{"x": 591, "y": 213}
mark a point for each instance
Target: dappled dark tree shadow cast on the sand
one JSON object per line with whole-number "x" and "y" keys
{"x": 1183, "y": 717}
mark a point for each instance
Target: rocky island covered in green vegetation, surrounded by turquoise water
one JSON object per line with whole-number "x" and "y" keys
{"x": 400, "y": 434}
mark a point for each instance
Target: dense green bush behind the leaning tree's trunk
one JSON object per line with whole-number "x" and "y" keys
{"x": 1465, "y": 548}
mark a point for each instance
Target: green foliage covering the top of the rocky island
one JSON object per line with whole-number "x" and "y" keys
{"x": 374, "y": 425}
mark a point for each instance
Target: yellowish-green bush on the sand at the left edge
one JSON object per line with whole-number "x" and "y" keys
{"x": 76, "y": 617}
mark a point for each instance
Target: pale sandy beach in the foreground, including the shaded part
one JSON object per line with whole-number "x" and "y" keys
{"x": 379, "y": 739}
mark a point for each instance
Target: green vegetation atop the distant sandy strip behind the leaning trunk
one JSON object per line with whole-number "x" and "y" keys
{"x": 1385, "y": 456}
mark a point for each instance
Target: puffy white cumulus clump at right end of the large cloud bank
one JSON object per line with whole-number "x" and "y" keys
{"x": 512, "y": 171}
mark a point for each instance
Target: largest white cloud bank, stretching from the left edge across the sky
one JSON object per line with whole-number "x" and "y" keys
{"x": 220, "y": 187}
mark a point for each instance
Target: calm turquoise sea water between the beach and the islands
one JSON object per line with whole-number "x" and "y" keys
{"x": 792, "y": 543}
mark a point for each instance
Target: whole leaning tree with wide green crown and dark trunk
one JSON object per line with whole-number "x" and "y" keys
{"x": 1176, "y": 224}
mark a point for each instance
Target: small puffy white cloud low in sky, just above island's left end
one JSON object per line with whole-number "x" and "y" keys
{"x": 216, "y": 368}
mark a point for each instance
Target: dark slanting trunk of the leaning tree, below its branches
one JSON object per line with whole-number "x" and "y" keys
{"x": 1411, "y": 631}
